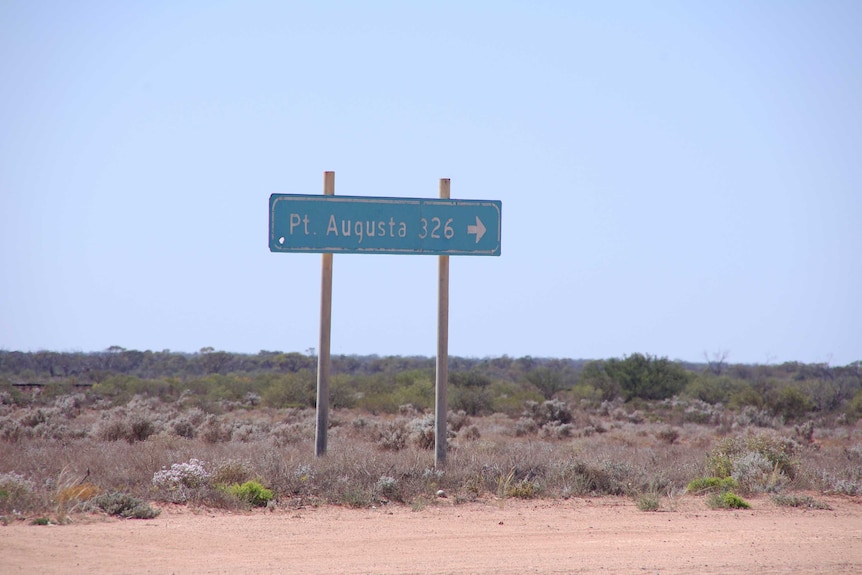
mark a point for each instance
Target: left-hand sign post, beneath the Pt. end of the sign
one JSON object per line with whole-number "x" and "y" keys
{"x": 323, "y": 359}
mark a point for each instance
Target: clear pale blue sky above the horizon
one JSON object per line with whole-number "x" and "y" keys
{"x": 677, "y": 178}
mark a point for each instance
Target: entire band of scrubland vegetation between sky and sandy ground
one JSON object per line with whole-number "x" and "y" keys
{"x": 112, "y": 432}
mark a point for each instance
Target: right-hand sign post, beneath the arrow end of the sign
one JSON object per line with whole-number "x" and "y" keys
{"x": 441, "y": 408}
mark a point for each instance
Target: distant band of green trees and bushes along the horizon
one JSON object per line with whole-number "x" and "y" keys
{"x": 477, "y": 385}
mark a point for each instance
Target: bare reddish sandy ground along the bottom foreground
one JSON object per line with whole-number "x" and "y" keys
{"x": 607, "y": 535}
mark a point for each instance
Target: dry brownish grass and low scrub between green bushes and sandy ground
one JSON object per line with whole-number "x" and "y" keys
{"x": 67, "y": 456}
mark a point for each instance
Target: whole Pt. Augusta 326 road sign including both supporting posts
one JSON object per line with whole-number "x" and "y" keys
{"x": 331, "y": 224}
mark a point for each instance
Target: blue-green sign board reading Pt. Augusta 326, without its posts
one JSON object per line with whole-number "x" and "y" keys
{"x": 354, "y": 224}
